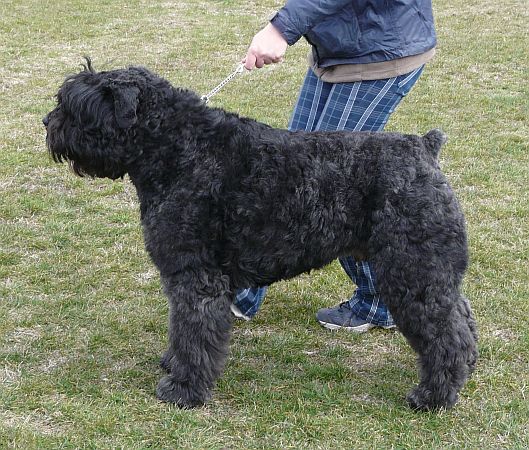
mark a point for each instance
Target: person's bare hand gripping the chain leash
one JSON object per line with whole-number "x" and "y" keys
{"x": 267, "y": 47}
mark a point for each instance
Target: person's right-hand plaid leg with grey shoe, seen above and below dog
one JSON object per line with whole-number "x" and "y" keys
{"x": 362, "y": 106}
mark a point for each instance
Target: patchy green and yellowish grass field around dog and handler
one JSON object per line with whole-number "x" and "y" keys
{"x": 82, "y": 316}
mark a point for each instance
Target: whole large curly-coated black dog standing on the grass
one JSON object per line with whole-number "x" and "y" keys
{"x": 228, "y": 203}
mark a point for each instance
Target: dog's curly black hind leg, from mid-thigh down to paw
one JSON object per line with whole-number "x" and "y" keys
{"x": 422, "y": 294}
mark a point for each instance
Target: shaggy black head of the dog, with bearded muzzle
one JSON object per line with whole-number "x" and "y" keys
{"x": 95, "y": 124}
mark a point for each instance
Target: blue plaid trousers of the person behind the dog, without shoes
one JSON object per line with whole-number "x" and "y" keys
{"x": 359, "y": 106}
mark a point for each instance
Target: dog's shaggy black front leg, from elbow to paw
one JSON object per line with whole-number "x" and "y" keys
{"x": 199, "y": 331}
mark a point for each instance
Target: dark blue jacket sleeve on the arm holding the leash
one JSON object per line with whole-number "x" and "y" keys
{"x": 297, "y": 17}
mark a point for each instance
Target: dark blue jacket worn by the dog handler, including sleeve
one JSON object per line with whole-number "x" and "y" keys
{"x": 358, "y": 31}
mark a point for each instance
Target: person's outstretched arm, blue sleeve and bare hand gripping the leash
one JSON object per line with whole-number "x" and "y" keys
{"x": 291, "y": 22}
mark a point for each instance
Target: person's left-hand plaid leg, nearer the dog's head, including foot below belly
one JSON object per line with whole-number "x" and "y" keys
{"x": 309, "y": 106}
